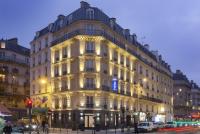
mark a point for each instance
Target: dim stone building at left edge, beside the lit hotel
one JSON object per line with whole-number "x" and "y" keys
{"x": 14, "y": 75}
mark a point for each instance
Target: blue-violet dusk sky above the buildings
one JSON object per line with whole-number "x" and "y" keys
{"x": 170, "y": 26}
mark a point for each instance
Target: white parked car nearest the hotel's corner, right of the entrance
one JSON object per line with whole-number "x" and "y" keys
{"x": 146, "y": 127}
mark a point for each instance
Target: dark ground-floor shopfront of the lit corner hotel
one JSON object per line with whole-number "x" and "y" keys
{"x": 100, "y": 119}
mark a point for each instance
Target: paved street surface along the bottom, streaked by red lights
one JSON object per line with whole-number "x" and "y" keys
{"x": 118, "y": 131}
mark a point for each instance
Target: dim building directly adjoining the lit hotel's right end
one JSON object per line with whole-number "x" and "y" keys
{"x": 182, "y": 95}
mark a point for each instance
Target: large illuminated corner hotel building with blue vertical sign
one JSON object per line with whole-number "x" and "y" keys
{"x": 88, "y": 70}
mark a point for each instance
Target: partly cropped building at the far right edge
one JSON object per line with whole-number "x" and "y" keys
{"x": 195, "y": 97}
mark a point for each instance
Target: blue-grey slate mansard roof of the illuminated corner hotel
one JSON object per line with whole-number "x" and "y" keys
{"x": 80, "y": 14}
